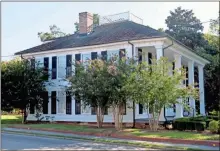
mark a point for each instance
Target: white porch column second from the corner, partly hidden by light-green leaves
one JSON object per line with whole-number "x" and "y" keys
{"x": 179, "y": 106}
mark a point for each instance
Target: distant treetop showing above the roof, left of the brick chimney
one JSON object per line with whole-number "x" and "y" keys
{"x": 54, "y": 33}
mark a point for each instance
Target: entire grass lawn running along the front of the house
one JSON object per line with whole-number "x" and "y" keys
{"x": 15, "y": 120}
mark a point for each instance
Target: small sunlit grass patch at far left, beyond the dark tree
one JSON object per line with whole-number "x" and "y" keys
{"x": 11, "y": 119}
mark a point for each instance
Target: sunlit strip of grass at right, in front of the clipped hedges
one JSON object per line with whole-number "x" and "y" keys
{"x": 171, "y": 134}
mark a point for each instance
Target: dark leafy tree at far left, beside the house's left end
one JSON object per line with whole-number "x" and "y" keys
{"x": 22, "y": 86}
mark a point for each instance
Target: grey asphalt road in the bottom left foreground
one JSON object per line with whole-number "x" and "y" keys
{"x": 24, "y": 142}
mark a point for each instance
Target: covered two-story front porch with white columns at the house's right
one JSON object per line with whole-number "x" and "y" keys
{"x": 182, "y": 57}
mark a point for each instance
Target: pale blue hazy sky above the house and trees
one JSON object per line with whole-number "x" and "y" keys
{"x": 21, "y": 21}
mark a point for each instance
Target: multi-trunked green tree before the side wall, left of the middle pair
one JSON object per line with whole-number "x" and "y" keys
{"x": 89, "y": 84}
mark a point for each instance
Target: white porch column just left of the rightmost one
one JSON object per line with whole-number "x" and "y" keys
{"x": 191, "y": 82}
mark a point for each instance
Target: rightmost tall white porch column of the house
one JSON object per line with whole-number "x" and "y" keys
{"x": 201, "y": 90}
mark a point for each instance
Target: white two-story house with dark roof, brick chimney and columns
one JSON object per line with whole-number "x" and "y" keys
{"x": 115, "y": 33}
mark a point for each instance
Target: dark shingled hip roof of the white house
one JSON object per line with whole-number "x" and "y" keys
{"x": 104, "y": 34}
